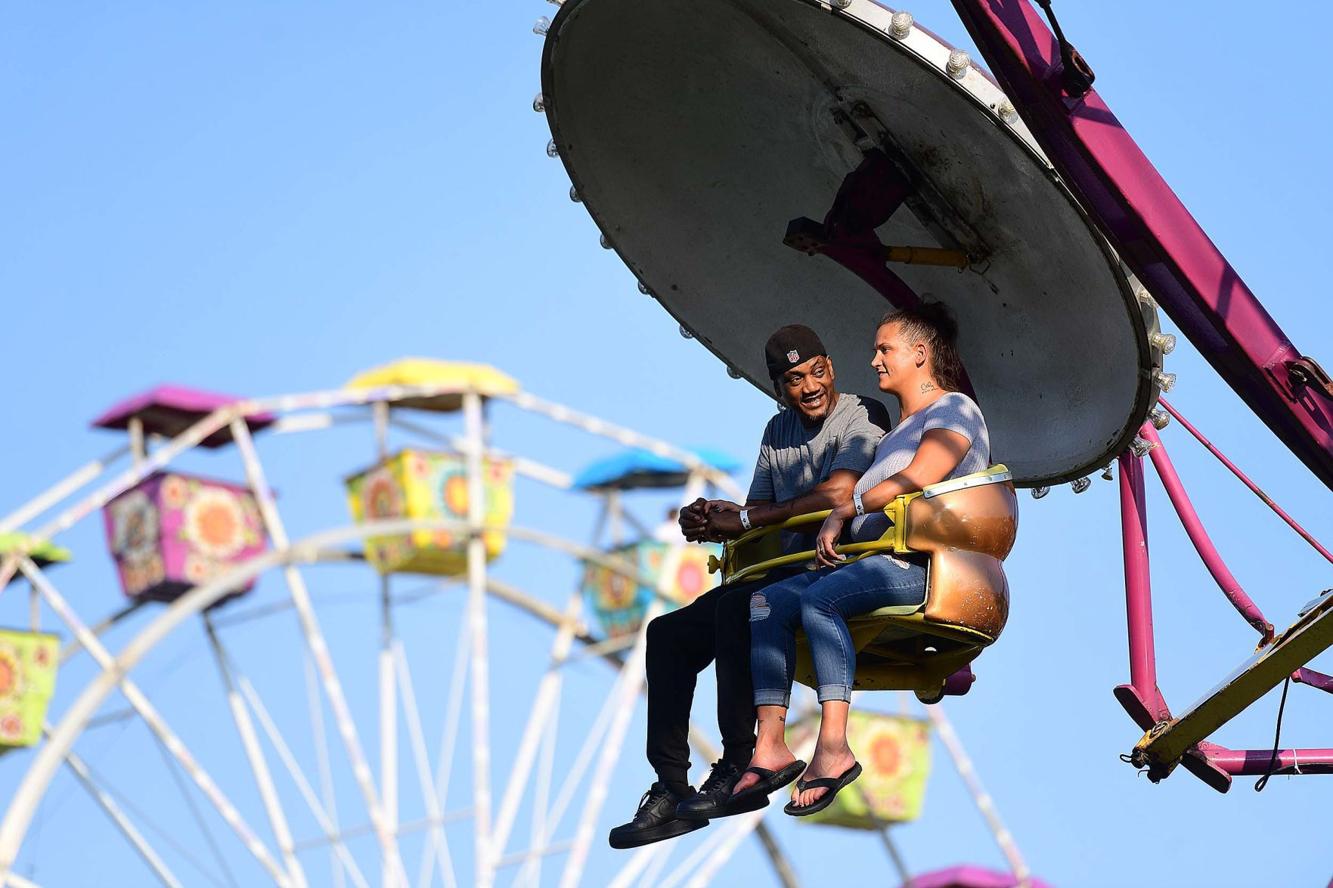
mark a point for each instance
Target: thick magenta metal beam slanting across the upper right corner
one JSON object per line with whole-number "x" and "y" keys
{"x": 1154, "y": 231}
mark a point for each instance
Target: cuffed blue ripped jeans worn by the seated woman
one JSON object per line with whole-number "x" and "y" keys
{"x": 820, "y": 603}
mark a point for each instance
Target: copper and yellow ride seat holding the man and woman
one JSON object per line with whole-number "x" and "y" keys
{"x": 964, "y": 529}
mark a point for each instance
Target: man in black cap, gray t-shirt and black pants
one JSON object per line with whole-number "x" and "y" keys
{"x": 811, "y": 457}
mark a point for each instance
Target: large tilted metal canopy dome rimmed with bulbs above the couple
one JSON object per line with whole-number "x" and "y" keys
{"x": 696, "y": 130}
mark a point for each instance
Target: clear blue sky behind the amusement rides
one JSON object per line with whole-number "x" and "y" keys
{"x": 266, "y": 199}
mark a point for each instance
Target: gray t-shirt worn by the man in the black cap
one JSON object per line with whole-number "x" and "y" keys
{"x": 794, "y": 458}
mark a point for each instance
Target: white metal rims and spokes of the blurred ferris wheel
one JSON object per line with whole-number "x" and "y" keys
{"x": 311, "y": 413}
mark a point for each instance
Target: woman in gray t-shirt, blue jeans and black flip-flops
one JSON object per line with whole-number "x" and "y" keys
{"x": 940, "y": 435}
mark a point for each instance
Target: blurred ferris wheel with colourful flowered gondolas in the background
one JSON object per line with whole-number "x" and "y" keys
{"x": 434, "y": 521}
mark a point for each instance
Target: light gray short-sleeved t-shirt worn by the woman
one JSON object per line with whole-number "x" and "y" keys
{"x": 954, "y": 413}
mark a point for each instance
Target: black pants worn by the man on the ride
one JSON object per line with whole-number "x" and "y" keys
{"x": 680, "y": 646}
